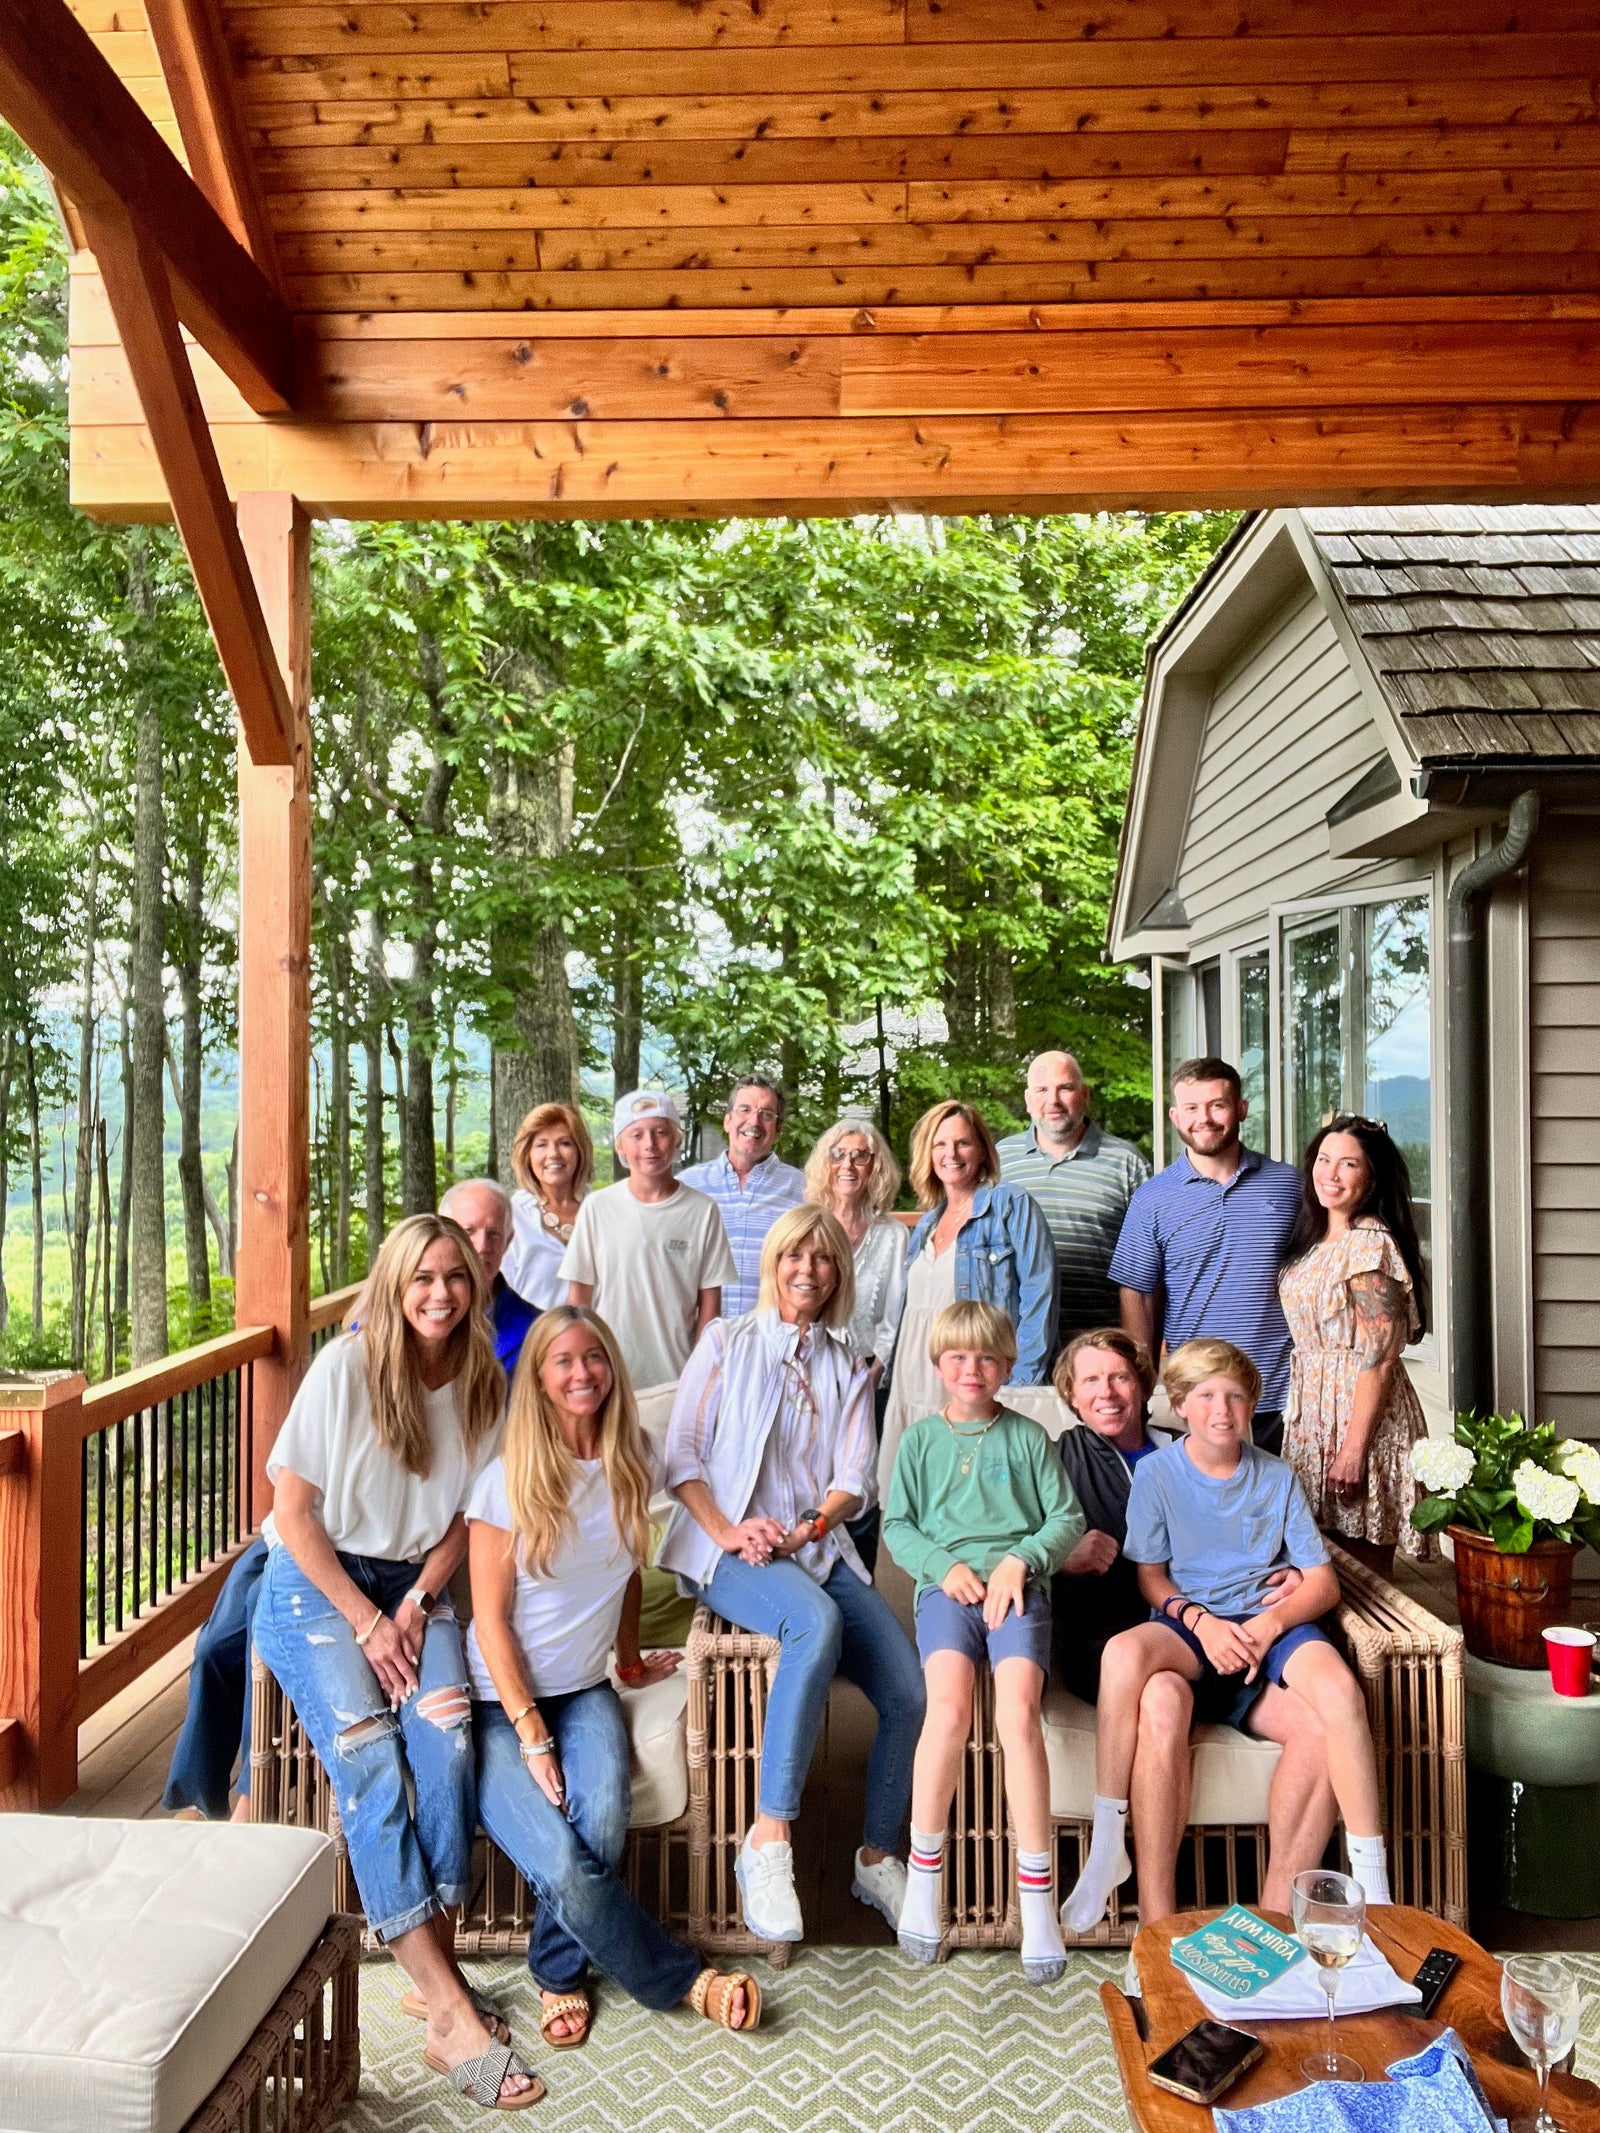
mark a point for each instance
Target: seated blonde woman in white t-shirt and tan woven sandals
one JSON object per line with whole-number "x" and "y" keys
{"x": 560, "y": 1526}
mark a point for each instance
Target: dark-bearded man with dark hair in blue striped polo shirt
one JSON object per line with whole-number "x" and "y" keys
{"x": 1204, "y": 1240}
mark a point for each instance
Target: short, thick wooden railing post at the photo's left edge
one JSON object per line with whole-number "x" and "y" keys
{"x": 42, "y": 1592}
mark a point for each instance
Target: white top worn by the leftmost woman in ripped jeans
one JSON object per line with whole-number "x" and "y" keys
{"x": 366, "y": 1498}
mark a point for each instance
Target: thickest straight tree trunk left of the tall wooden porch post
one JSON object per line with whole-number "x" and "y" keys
{"x": 148, "y": 1215}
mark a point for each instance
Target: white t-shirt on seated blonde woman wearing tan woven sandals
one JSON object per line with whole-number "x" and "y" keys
{"x": 566, "y": 1620}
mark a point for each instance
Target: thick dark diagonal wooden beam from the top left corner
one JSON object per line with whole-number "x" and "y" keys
{"x": 74, "y": 112}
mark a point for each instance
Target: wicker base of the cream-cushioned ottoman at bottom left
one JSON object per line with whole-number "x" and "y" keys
{"x": 304, "y": 2064}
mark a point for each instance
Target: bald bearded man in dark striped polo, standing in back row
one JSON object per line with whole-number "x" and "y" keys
{"x": 1083, "y": 1181}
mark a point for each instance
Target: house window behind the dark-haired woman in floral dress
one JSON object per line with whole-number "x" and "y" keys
{"x": 1358, "y": 1031}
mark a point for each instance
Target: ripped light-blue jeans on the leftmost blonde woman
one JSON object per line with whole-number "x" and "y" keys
{"x": 409, "y": 1861}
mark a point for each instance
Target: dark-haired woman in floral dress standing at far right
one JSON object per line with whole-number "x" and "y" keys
{"x": 1356, "y": 1296}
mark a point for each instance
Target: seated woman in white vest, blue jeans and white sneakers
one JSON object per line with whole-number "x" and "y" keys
{"x": 771, "y": 1449}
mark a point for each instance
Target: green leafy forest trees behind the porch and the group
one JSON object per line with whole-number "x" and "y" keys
{"x": 831, "y": 799}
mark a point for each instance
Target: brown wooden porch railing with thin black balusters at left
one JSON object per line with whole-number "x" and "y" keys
{"x": 123, "y": 1509}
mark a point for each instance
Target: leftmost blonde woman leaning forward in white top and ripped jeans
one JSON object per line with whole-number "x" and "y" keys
{"x": 370, "y": 1479}
